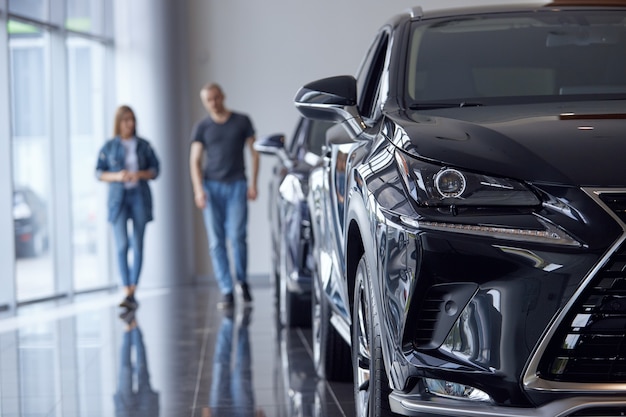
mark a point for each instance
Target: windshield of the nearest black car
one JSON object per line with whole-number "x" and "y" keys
{"x": 522, "y": 57}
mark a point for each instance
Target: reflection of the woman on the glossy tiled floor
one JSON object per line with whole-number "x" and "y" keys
{"x": 134, "y": 396}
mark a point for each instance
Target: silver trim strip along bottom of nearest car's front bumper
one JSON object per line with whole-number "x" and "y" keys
{"x": 408, "y": 406}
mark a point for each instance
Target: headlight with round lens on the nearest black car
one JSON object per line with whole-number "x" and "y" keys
{"x": 432, "y": 185}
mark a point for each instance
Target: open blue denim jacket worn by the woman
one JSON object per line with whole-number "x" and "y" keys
{"x": 111, "y": 158}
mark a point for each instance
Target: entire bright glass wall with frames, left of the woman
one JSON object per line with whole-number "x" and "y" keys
{"x": 54, "y": 143}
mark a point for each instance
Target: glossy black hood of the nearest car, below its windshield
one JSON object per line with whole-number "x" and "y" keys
{"x": 579, "y": 144}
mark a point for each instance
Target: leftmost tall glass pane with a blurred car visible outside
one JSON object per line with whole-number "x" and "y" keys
{"x": 29, "y": 58}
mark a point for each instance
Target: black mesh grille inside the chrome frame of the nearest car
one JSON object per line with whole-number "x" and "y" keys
{"x": 590, "y": 345}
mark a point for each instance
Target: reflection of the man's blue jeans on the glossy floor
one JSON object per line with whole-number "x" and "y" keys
{"x": 231, "y": 387}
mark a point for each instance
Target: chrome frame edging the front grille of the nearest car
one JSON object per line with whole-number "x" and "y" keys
{"x": 531, "y": 380}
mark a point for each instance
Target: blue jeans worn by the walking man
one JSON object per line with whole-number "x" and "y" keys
{"x": 226, "y": 217}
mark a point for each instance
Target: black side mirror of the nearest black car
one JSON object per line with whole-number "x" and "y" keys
{"x": 332, "y": 99}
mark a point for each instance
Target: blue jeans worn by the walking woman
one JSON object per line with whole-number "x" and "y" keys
{"x": 132, "y": 209}
